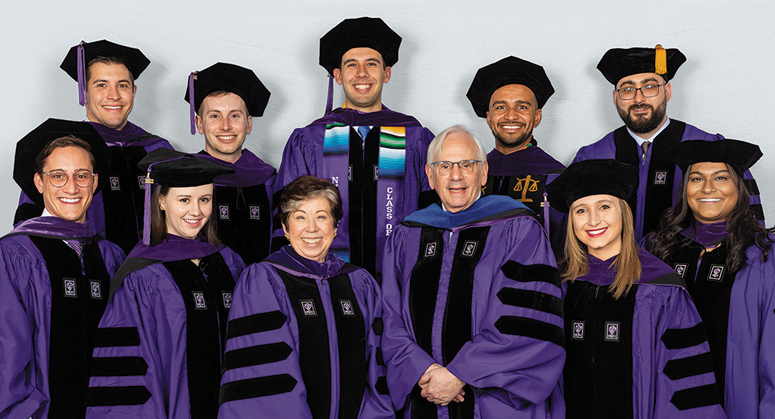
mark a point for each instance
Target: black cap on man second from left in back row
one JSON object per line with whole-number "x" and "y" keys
{"x": 224, "y": 77}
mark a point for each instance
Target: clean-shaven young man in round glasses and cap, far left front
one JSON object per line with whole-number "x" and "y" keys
{"x": 55, "y": 273}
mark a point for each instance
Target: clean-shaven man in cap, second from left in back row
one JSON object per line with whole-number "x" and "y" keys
{"x": 224, "y": 99}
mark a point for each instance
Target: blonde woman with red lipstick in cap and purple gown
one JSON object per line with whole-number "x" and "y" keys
{"x": 635, "y": 343}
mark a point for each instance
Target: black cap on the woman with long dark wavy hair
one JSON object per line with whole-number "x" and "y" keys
{"x": 738, "y": 154}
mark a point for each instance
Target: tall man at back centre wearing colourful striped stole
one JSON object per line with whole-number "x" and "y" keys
{"x": 374, "y": 156}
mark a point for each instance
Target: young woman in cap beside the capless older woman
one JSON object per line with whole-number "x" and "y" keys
{"x": 159, "y": 346}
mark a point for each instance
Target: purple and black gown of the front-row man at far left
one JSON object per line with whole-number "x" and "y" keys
{"x": 38, "y": 309}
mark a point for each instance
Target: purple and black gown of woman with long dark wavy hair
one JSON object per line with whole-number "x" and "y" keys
{"x": 738, "y": 309}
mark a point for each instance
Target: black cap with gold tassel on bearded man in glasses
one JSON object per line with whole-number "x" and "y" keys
{"x": 618, "y": 63}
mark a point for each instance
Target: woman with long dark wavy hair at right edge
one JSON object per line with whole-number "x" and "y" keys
{"x": 712, "y": 239}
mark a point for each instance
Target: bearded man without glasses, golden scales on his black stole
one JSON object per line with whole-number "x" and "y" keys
{"x": 510, "y": 93}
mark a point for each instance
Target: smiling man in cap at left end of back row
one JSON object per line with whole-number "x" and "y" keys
{"x": 106, "y": 74}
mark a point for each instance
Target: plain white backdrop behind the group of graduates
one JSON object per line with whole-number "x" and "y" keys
{"x": 723, "y": 87}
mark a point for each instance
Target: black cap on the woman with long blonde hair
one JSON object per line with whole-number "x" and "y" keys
{"x": 592, "y": 177}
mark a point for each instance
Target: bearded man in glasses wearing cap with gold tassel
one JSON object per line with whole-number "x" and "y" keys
{"x": 641, "y": 77}
